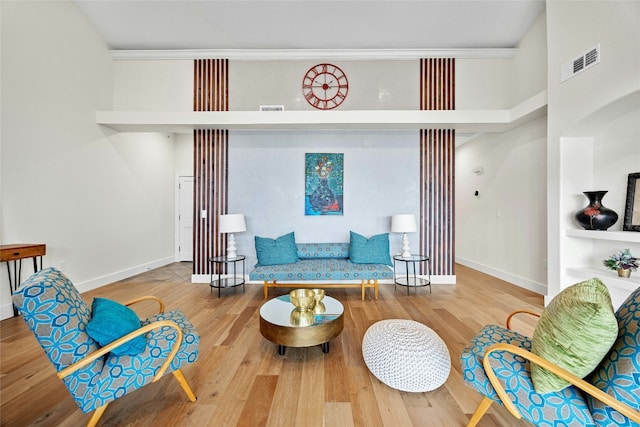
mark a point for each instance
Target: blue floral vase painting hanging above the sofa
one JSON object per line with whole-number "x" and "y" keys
{"x": 324, "y": 185}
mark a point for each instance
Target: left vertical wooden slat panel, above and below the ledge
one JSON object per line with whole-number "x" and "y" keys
{"x": 210, "y": 167}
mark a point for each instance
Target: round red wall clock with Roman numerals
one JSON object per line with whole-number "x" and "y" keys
{"x": 325, "y": 86}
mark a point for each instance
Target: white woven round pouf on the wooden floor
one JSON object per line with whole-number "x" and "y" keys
{"x": 406, "y": 355}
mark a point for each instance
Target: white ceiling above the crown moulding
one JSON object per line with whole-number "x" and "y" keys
{"x": 311, "y": 24}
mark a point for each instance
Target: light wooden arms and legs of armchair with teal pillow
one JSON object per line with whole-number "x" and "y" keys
{"x": 95, "y": 417}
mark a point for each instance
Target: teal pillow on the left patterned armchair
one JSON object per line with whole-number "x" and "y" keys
{"x": 111, "y": 320}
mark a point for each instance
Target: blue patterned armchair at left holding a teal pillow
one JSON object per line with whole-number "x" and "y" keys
{"x": 58, "y": 316}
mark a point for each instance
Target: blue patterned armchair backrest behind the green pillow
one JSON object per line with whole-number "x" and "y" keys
{"x": 619, "y": 372}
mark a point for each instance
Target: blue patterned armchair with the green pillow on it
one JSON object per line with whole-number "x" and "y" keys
{"x": 497, "y": 364}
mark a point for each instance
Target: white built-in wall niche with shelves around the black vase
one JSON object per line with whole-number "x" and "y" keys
{"x": 581, "y": 148}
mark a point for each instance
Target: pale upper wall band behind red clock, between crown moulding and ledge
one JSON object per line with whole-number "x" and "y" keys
{"x": 488, "y": 83}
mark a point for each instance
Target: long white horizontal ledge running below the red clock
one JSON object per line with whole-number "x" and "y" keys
{"x": 466, "y": 121}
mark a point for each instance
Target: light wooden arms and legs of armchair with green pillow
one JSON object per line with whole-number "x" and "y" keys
{"x": 593, "y": 391}
